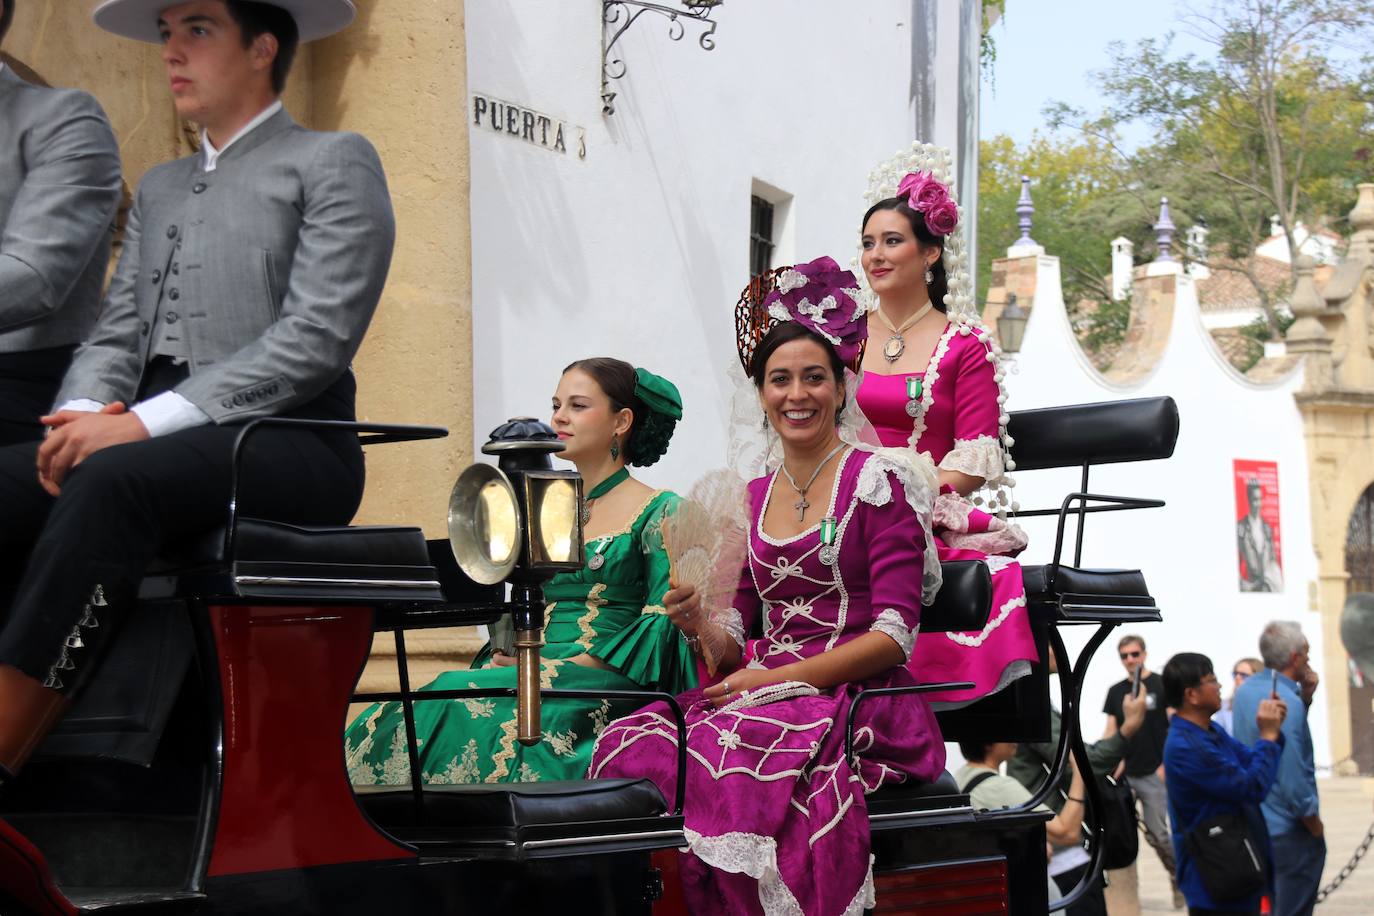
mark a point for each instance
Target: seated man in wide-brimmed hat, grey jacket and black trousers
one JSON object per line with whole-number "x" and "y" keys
{"x": 249, "y": 275}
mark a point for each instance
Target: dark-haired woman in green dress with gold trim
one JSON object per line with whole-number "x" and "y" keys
{"x": 605, "y": 626}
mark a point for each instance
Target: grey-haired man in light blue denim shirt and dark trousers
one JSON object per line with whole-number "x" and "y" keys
{"x": 1292, "y": 811}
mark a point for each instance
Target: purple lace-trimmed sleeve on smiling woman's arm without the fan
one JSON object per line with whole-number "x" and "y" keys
{"x": 898, "y": 538}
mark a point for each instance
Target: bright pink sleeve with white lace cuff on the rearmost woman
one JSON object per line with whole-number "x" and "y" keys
{"x": 978, "y": 413}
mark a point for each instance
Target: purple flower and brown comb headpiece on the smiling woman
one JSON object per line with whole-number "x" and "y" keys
{"x": 821, "y": 296}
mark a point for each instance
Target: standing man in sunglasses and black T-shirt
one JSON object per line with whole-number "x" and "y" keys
{"x": 1144, "y": 764}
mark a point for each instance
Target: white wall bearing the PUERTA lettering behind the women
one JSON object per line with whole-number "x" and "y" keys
{"x": 641, "y": 249}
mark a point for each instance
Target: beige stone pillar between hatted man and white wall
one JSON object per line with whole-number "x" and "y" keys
{"x": 399, "y": 76}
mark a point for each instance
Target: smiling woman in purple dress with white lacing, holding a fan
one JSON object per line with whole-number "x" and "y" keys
{"x": 776, "y": 814}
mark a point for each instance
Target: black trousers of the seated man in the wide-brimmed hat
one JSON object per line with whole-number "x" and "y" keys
{"x": 71, "y": 566}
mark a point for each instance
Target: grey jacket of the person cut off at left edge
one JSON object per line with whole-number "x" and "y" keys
{"x": 60, "y": 190}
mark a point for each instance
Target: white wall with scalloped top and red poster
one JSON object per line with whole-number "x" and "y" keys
{"x": 1186, "y": 550}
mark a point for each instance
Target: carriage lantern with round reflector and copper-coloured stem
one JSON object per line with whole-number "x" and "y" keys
{"x": 519, "y": 523}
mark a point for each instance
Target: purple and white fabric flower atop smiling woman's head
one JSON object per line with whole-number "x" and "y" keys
{"x": 824, "y": 297}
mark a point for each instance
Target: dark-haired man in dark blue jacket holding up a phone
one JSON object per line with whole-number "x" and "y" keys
{"x": 1214, "y": 774}
